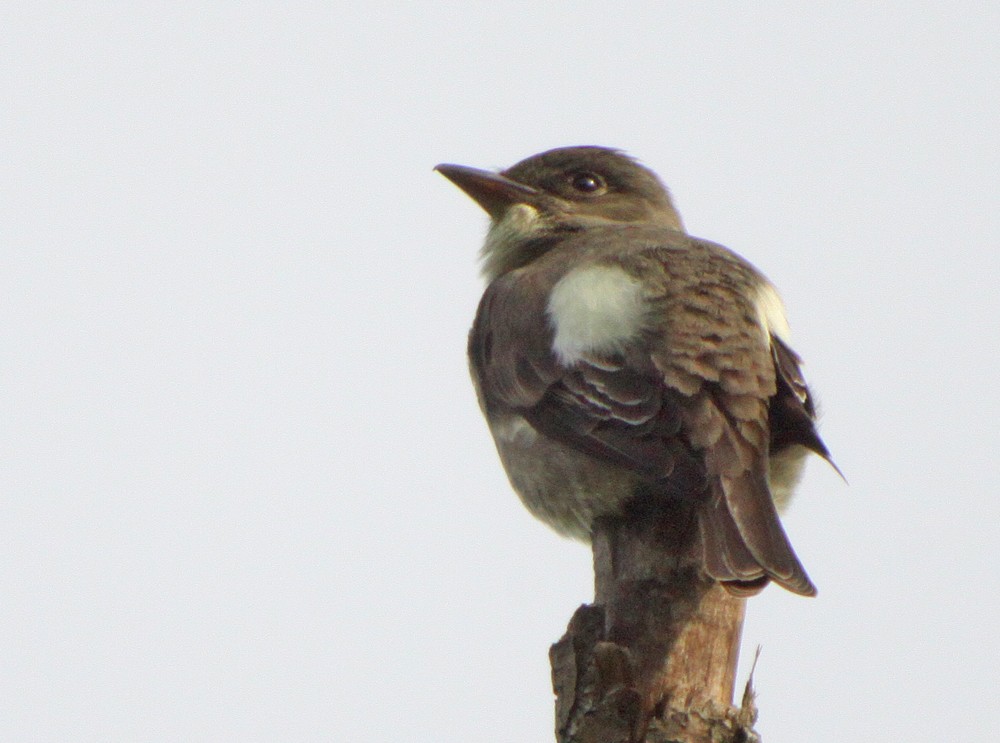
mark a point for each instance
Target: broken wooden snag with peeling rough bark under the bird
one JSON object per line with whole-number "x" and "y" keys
{"x": 653, "y": 660}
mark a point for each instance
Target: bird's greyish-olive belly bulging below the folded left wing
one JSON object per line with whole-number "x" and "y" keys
{"x": 560, "y": 486}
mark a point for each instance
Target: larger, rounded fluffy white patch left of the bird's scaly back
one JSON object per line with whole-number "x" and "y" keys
{"x": 595, "y": 309}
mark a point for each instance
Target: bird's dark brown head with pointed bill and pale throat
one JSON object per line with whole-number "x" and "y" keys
{"x": 542, "y": 198}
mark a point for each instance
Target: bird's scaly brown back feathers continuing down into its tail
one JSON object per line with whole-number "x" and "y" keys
{"x": 717, "y": 350}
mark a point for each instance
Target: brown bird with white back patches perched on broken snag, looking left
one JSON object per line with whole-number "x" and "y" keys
{"x": 621, "y": 362}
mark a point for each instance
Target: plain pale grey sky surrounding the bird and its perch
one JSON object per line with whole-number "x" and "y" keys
{"x": 246, "y": 491}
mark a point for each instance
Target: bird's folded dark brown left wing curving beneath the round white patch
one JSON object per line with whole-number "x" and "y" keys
{"x": 612, "y": 406}
